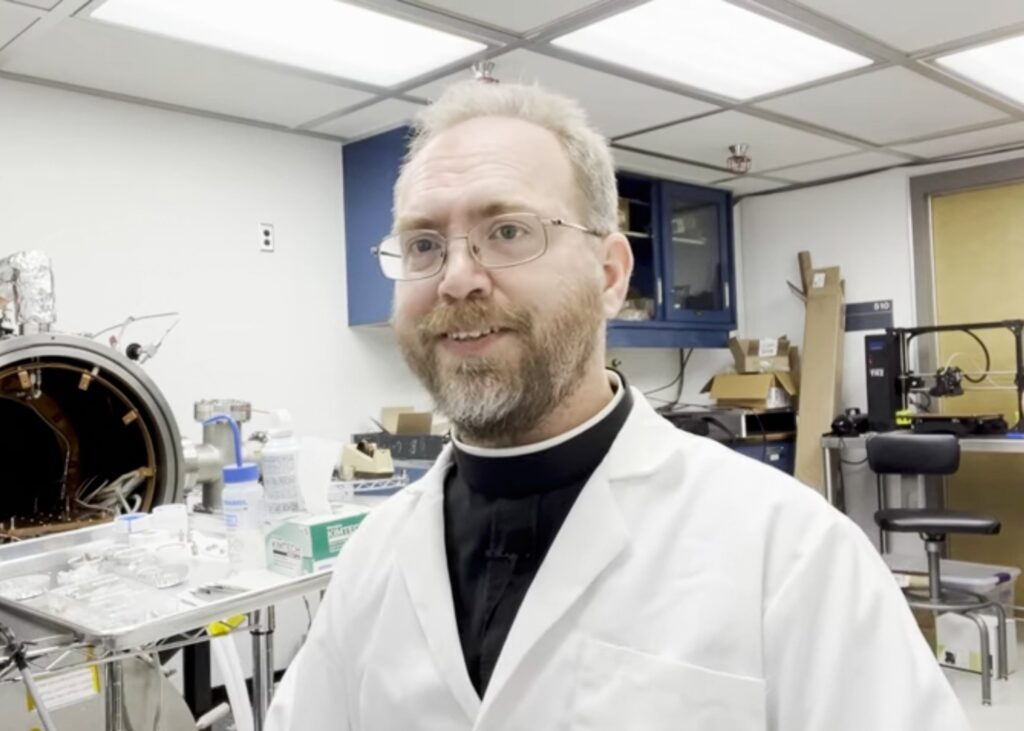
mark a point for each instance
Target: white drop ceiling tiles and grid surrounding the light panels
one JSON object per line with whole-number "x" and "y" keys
{"x": 902, "y": 109}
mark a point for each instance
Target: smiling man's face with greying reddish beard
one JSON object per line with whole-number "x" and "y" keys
{"x": 499, "y": 350}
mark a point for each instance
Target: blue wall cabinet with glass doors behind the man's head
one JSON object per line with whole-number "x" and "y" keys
{"x": 681, "y": 238}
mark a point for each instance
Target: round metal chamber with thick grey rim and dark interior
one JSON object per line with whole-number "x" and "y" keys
{"x": 82, "y": 431}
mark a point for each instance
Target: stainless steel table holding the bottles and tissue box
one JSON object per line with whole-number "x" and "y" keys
{"x": 60, "y": 643}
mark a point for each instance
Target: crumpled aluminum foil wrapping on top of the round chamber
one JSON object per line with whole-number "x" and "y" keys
{"x": 27, "y": 283}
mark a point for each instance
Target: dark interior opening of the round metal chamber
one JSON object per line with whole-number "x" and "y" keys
{"x": 74, "y": 439}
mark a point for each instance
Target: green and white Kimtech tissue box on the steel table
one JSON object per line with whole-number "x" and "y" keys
{"x": 311, "y": 543}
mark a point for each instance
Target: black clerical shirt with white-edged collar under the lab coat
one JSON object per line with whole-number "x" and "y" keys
{"x": 501, "y": 515}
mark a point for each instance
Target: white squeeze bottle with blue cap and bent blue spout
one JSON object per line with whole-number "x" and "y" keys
{"x": 244, "y": 508}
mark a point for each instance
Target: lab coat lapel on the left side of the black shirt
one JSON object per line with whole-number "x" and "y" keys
{"x": 424, "y": 568}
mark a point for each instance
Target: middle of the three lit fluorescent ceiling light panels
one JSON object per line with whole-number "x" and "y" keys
{"x": 712, "y": 46}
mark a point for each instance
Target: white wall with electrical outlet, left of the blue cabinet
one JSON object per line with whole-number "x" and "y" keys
{"x": 149, "y": 211}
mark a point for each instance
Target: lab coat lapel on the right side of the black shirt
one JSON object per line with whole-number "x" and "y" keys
{"x": 591, "y": 538}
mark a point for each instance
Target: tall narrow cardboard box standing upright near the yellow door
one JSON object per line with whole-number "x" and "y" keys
{"x": 821, "y": 383}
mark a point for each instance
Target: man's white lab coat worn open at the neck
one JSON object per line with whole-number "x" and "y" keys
{"x": 690, "y": 588}
